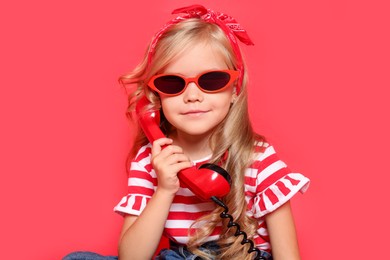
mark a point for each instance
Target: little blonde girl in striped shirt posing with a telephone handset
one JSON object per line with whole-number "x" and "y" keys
{"x": 194, "y": 74}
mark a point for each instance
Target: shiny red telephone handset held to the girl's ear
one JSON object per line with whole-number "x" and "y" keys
{"x": 206, "y": 181}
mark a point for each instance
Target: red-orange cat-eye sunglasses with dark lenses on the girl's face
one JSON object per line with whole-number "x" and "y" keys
{"x": 209, "y": 82}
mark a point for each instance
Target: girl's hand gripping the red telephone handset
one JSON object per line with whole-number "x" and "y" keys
{"x": 167, "y": 161}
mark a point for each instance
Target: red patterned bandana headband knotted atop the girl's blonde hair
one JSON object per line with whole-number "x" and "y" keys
{"x": 228, "y": 24}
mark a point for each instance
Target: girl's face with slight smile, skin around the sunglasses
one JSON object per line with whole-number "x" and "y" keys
{"x": 194, "y": 112}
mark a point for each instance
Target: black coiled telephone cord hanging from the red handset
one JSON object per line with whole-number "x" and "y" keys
{"x": 238, "y": 232}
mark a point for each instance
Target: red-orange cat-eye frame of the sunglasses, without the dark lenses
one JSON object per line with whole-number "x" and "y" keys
{"x": 232, "y": 73}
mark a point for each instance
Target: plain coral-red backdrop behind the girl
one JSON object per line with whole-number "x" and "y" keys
{"x": 319, "y": 91}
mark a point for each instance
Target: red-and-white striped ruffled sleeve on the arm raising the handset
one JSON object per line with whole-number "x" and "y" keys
{"x": 141, "y": 185}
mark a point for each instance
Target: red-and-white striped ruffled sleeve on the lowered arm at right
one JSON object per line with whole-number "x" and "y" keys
{"x": 270, "y": 183}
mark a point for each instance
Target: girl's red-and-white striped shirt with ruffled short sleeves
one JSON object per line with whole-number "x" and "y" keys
{"x": 268, "y": 185}
